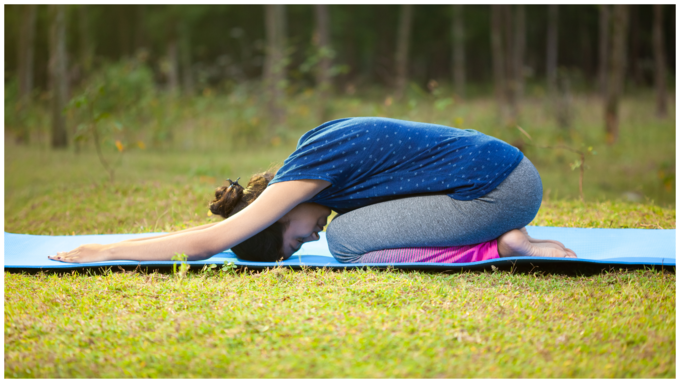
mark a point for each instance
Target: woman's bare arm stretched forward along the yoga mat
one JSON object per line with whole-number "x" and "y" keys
{"x": 269, "y": 207}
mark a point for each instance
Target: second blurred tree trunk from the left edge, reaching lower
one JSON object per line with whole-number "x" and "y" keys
{"x": 58, "y": 74}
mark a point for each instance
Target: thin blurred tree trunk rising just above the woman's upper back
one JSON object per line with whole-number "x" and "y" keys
{"x": 323, "y": 74}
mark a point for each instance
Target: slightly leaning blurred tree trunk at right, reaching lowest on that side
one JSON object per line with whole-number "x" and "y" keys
{"x": 616, "y": 72}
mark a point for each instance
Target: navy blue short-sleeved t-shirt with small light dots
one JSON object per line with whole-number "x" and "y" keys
{"x": 370, "y": 159}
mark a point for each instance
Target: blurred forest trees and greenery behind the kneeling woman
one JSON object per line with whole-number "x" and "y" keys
{"x": 198, "y": 84}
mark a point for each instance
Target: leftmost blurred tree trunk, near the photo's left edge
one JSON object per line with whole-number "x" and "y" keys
{"x": 25, "y": 54}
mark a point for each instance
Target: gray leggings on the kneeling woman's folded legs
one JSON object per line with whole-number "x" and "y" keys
{"x": 437, "y": 220}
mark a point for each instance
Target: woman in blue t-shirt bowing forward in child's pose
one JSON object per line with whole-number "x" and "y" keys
{"x": 395, "y": 184}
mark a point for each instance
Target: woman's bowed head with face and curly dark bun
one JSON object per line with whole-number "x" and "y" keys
{"x": 281, "y": 239}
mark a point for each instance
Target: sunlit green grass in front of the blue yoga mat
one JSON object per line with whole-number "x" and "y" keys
{"x": 323, "y": 324}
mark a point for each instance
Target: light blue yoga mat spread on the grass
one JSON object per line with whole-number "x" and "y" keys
{"x": 594, "y": 246}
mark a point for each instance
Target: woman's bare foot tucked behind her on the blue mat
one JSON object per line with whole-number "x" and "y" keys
{"x": 515, "y": 243}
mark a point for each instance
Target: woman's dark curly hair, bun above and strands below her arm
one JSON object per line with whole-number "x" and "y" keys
{"x": 265, "y": 246}
